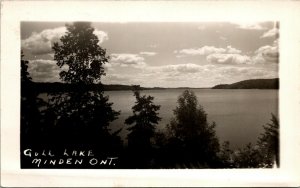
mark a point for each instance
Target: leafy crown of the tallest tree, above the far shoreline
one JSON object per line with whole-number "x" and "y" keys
{"x": 79, "y": 52}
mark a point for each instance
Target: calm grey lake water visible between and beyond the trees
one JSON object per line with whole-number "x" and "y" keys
{"x": 238, "y": 113}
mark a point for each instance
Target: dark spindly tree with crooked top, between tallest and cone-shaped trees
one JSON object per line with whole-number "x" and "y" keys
{"x": 143, "y": 121}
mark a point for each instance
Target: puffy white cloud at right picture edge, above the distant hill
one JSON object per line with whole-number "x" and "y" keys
{"x": 266, "y": 54}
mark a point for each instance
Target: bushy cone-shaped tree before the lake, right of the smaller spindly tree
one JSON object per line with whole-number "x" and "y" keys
{"x": 193, "y": 135}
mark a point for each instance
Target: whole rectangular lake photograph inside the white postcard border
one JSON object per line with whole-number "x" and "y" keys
{"x": 149, "y": 95}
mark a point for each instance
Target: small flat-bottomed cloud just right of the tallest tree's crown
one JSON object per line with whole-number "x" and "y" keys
{"x": 125, "y": 60}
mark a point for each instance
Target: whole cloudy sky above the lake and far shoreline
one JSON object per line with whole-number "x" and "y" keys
{"x": 165, "y": 54}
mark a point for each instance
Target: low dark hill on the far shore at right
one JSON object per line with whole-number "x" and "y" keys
{"x": 251, "y": 84}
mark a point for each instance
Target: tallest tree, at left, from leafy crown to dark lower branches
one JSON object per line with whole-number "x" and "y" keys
{"x": 83, "y": 115}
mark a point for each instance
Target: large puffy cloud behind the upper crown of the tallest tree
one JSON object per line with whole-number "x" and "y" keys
{"x": 41, "y": 43}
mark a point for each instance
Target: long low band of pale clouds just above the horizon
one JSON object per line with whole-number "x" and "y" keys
{"x": 189, "y": 74}
